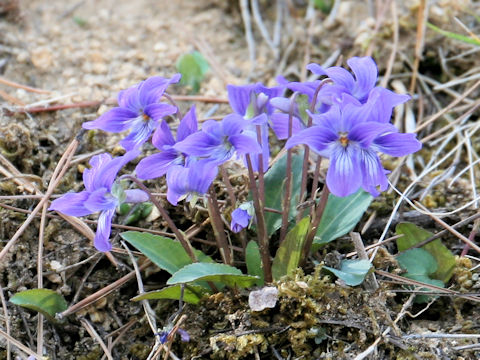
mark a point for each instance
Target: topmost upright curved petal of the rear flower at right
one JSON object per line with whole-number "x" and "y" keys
{"x": 366, "y": 74}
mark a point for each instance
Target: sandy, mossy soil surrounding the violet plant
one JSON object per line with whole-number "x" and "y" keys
{"x": 86, "y": 51}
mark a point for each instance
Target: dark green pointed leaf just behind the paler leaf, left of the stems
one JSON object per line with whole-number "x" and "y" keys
{"x": 167, "y": 254}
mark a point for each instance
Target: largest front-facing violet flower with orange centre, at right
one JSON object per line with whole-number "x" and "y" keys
{"x": 351, "y": 135}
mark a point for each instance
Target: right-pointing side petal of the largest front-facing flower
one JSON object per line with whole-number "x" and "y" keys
{"x": 397, "y": 144}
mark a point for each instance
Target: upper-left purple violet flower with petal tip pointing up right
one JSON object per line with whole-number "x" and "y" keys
{"x": 139, "y": 110}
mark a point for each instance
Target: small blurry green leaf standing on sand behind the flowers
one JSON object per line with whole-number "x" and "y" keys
{"x": 193, "y": 68}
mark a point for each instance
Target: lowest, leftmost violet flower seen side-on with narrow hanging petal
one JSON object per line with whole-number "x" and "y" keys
{"x": 101, "y": 194}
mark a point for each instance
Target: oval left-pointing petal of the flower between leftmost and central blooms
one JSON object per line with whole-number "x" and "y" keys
{"x": 156, "y": 165}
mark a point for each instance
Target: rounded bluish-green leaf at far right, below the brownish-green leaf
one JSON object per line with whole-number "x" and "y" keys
{"x": 419, "y": 266}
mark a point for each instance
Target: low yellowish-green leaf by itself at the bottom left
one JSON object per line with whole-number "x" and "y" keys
{"x": 45, "y": 301}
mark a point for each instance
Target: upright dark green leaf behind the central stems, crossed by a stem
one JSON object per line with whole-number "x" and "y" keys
{"x": 275, "y": 189}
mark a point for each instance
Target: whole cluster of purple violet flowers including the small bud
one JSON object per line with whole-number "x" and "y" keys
{"x": 350, "y": 126}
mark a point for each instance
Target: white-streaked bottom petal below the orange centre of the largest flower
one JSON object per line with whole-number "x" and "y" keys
{"x": 344, "y": 173}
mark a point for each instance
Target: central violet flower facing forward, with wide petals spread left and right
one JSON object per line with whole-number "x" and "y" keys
{"x": 218, "y": 141}
